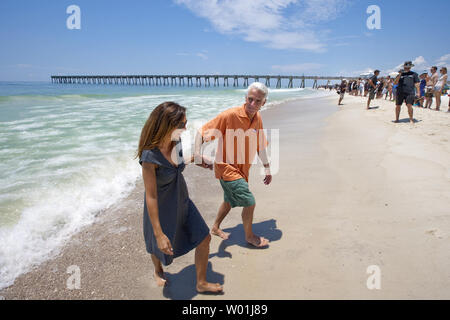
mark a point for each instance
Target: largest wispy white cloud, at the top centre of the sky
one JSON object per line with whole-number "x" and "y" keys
{"x": 278, "y": 24}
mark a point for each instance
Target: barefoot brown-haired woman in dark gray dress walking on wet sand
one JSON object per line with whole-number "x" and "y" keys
{"x": 172, "y": 224}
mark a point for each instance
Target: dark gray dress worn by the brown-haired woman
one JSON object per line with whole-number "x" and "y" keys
{"x": 180, "y": 219}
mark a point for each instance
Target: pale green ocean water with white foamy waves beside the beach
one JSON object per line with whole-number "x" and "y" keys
{"x": 67, "y": 152}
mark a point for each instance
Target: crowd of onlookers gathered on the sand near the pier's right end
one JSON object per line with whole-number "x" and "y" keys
{"x": 403, "y": 86}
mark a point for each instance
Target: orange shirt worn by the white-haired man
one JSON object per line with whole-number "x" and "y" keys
{"x": 239, "y": 139}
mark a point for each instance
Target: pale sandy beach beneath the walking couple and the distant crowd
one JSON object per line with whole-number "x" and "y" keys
{"x": 354, "y": 189}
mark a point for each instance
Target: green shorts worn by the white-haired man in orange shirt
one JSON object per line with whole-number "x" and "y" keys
{"x": 236, "y": 193}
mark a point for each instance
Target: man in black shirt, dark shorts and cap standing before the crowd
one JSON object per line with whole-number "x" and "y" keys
{"x": 408, "y": 90}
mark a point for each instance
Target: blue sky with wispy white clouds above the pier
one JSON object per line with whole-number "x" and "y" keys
{"x": 311, "y": 37}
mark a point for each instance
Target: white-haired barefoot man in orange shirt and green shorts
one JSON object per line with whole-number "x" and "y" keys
{"x": 233, "y": 160}
